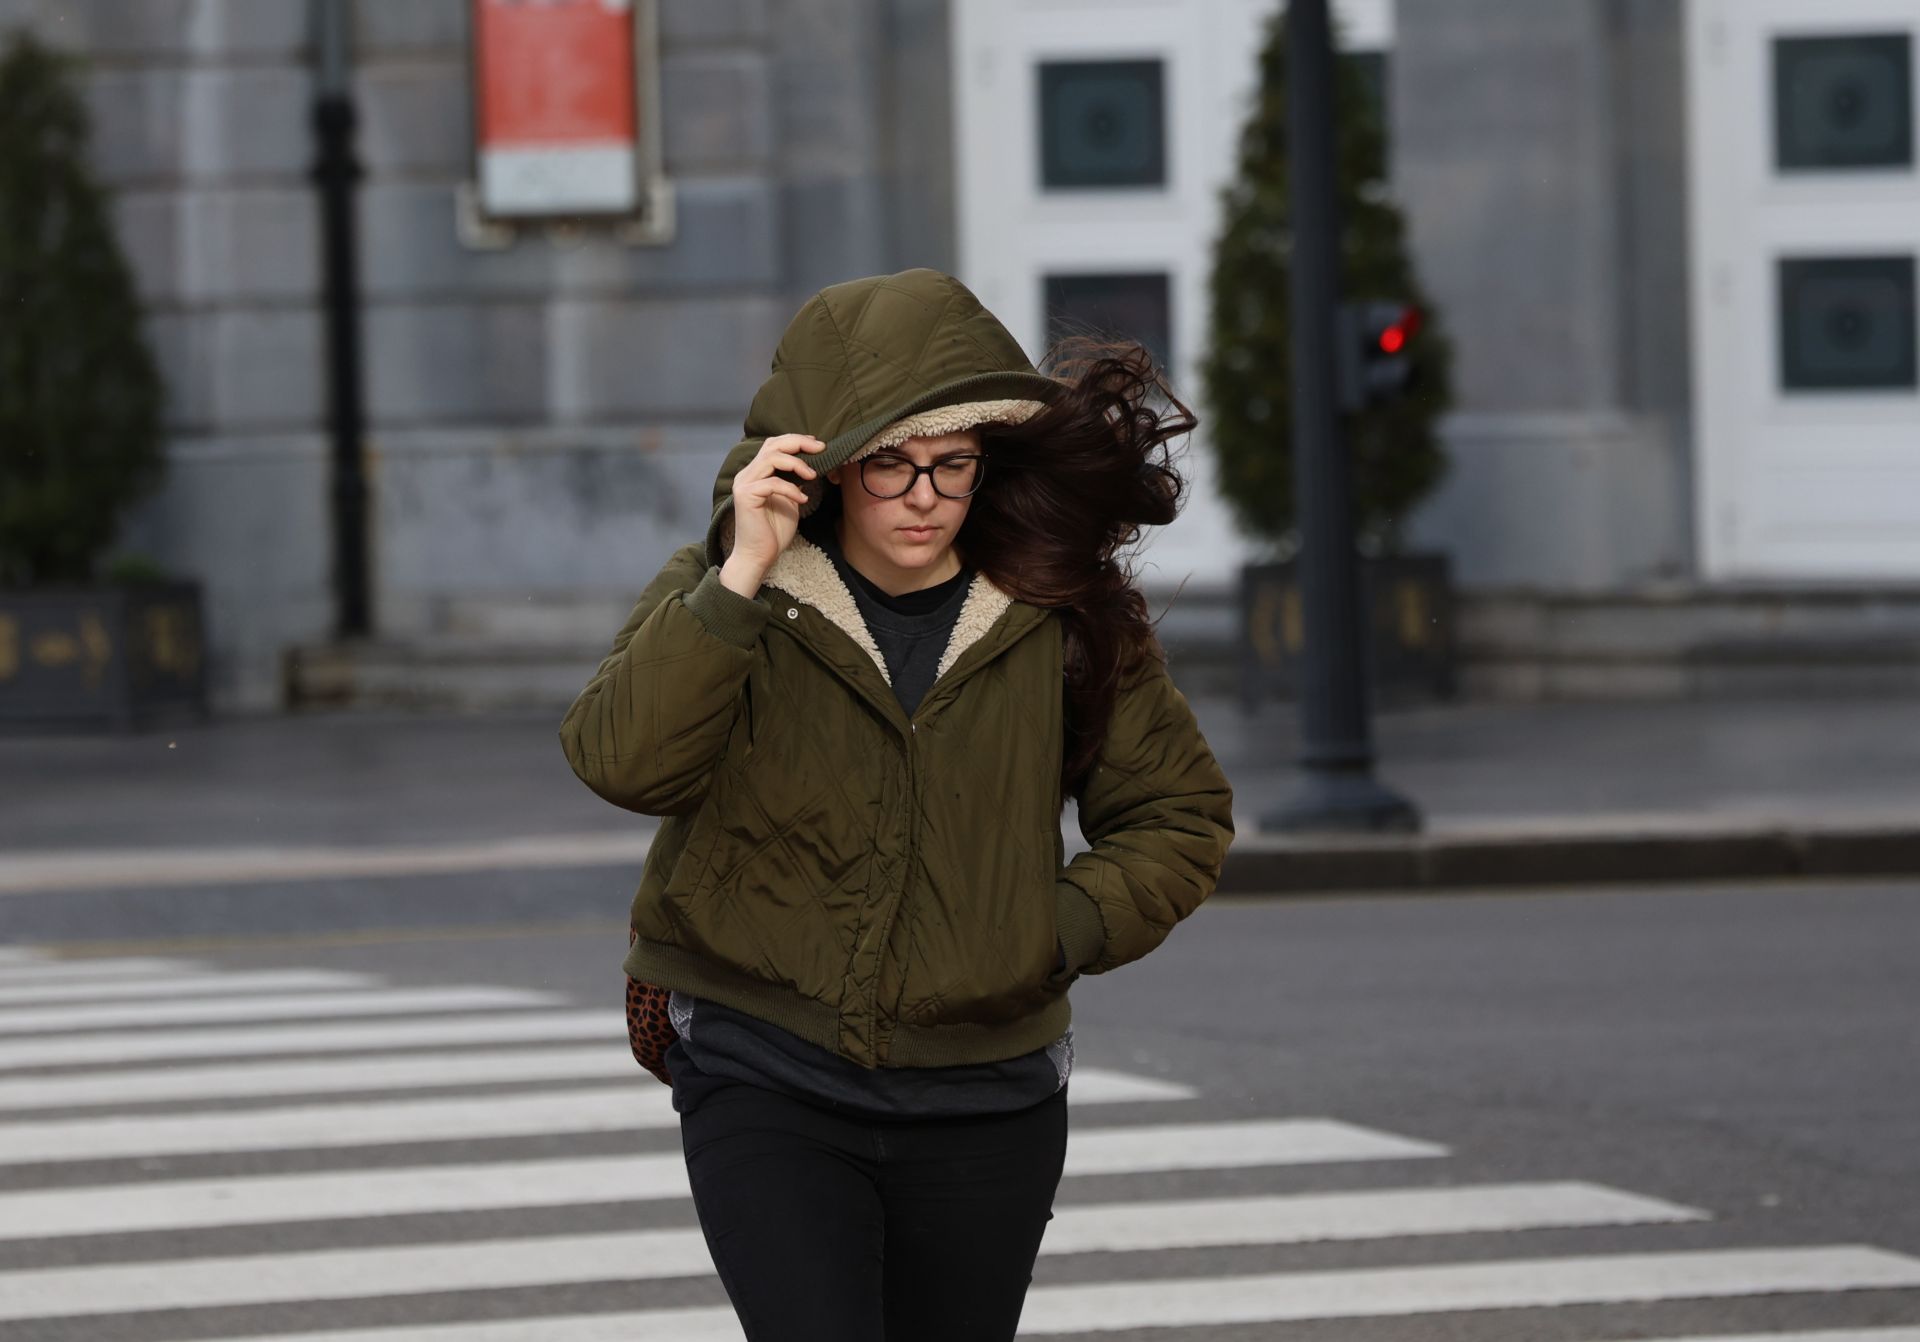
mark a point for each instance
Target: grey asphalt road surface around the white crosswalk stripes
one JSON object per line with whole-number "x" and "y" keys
{"x": 1742, "y": 1053}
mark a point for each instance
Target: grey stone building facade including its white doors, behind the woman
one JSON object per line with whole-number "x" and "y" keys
{"x": 1600, "y": 199}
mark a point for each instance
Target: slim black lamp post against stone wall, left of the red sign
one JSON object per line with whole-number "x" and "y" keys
{"x": 337, "y": 174}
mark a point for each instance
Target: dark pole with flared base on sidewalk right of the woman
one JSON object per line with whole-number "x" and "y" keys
{"x": 1337, "y": 788}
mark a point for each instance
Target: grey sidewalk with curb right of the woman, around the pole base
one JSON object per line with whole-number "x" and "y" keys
{"x": 1598, "y": 792}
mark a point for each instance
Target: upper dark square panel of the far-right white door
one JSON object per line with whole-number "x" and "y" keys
{"x": 1844, "y": 103}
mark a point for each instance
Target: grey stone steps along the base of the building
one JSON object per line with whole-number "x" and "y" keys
{"x": 1514, "y": 646}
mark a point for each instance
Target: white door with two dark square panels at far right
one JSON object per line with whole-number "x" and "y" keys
{"x": 1806, "y": 218}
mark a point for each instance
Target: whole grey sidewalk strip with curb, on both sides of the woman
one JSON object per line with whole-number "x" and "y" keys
{"x": 1510, "y": 794}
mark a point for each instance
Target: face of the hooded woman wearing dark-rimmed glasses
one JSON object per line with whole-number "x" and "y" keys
{"x": 909, "y": 542}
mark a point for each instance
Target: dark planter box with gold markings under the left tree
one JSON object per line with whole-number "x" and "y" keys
{"x": 101, "y": 658}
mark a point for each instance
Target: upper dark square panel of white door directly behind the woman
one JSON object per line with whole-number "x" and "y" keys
{"x": 1103, "y": 124}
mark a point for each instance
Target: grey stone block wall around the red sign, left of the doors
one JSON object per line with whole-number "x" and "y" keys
{"x": 544, "y": 423}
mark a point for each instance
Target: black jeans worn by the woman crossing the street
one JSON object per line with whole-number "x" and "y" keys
{"x": 834, "y": 1228}
